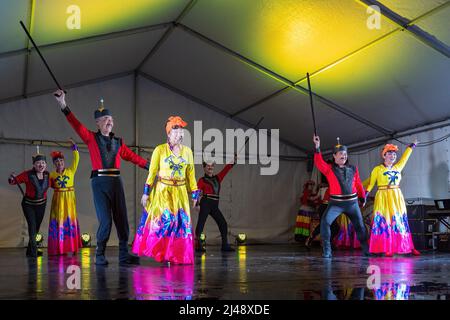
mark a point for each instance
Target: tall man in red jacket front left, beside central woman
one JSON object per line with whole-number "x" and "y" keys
{"x": 106, "y": 150}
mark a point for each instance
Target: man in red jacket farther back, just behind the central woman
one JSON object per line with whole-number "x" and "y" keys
{"x": 209, "y": 185}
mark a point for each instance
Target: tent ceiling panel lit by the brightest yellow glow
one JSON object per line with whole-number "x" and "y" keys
{"x": 289, "y": 37}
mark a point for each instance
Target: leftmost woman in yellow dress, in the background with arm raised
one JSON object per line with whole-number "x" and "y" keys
{"x": 64, "y": 230}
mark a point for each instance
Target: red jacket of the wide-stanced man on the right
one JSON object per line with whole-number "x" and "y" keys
{"x": 336, "y": 183}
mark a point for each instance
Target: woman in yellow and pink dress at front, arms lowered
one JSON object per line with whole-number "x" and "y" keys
{"x": 165, "y": 229}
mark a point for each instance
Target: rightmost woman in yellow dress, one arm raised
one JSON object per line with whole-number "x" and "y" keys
{"x": 390, "y": 229}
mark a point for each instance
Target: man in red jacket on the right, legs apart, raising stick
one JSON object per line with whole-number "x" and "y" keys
{"x": 345, "y": 189}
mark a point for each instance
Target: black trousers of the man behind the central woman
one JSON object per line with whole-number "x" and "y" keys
{"x": 211, "y": 207}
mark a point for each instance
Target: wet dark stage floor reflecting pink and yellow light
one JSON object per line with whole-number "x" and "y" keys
{"x": 258, "y": 272}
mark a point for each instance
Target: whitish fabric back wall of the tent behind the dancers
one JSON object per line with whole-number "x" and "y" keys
{"x": 264, "y": 207}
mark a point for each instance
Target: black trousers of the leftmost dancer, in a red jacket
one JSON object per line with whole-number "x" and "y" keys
{"x": 34, "y": 214}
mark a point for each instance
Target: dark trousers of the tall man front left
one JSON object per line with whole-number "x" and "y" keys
{"x": 110, "y": 205}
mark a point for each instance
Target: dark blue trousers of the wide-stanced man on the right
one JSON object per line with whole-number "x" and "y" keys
{"x": 351, "y": 210}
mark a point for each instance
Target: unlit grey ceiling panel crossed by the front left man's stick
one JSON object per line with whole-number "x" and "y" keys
{"x": 92, "y": 59}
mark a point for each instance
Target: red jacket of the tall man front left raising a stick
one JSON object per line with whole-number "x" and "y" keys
{"x": 88, "y": 137}
